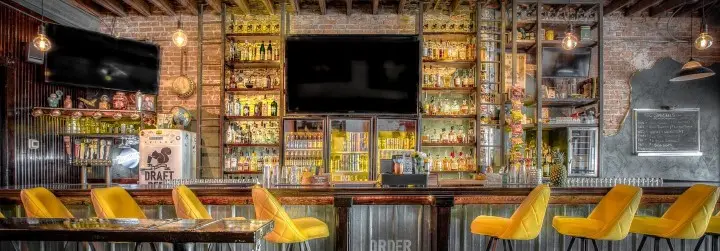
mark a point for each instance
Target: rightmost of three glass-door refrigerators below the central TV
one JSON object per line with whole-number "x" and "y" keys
{"x": 394, "y": 137}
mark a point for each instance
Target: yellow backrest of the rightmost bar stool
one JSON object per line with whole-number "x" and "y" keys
{"x": 692, "y": 211}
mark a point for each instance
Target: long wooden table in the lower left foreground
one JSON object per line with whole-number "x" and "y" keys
{"x": 181, "y": 233}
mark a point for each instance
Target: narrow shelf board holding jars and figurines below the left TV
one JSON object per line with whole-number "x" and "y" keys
{"x": 76, "y": 112}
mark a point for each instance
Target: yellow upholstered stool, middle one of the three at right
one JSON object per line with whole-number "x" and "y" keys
{"x": 610, "y": 220}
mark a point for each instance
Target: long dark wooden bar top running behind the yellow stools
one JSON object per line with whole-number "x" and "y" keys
{"x": 239, "y": 194}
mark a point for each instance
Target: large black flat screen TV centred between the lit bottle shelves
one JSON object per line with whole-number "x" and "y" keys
{"x": 353, "y": 74}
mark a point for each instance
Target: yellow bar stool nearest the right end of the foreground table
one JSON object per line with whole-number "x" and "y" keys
{"x": 286, "y": 230}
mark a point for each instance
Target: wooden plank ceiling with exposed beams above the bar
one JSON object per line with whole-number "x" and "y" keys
{"x": 122, "y": 8}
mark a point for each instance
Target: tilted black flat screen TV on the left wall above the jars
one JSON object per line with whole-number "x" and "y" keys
{"x": 90, "y": 59}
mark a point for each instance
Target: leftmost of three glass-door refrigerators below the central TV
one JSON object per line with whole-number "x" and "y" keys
{"x": 304, "y": 144}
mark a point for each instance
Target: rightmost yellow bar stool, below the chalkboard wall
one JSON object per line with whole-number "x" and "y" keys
{"x": 687, "y": 218}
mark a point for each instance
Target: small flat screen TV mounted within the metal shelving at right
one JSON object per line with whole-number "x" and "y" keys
{"x": 558, "y": 62}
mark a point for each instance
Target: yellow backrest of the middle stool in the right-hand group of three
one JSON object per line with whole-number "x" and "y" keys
{"x": 616, "y": 211}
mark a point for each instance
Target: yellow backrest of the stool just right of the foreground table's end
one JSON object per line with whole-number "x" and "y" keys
{"x": 268, "y": 208}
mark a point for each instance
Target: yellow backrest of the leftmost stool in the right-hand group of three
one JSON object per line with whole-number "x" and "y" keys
{"x": 527, "y": 220}
